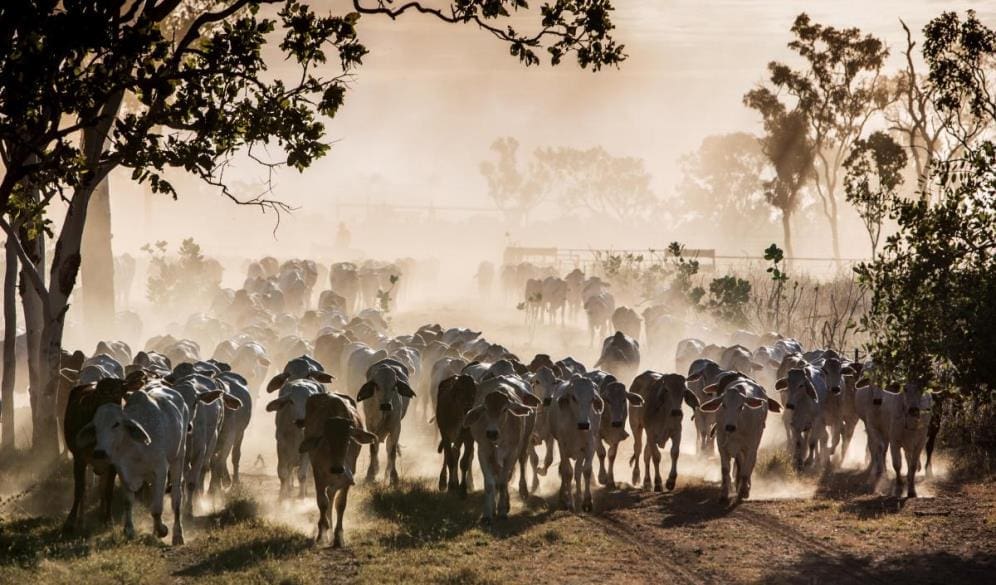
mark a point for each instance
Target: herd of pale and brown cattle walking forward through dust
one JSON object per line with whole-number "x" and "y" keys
{"x": 166, "y": 418}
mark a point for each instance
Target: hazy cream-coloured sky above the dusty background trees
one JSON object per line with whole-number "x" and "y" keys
{"x": 431, "y": 98}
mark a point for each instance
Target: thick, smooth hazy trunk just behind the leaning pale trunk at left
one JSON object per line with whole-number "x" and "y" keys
{"x": 98, "y": 264}
